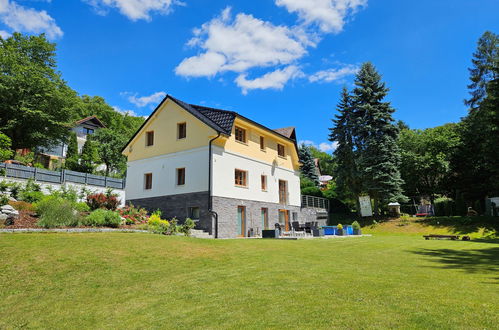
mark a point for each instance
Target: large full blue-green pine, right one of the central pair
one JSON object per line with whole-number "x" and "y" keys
{"x": 375, "y": 138}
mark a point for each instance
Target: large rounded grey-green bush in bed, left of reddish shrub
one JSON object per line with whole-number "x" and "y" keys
{"x": 56, "y": 212}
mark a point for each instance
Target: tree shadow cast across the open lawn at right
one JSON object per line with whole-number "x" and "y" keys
{"x": 476, "y": 261}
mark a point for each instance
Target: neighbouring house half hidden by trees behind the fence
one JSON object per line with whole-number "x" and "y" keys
{"x": 84, "y": 127}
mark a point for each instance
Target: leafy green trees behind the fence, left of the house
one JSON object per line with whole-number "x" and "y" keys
{"x": 38, "y": 108}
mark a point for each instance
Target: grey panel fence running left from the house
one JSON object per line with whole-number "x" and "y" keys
{"x": 43, "y": 175}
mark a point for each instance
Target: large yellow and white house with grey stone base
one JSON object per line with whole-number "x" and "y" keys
{"x": 231, "y": 174}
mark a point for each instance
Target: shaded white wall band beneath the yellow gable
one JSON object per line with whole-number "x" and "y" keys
{"x": 164, "y": 177}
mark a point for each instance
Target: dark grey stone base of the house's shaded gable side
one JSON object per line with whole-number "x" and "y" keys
{"x": 178, "y": 206}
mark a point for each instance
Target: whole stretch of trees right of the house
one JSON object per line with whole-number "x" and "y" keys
{"x": 387, "y": 160}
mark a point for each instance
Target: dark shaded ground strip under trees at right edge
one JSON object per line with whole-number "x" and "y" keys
{"x": 463, "y": 225}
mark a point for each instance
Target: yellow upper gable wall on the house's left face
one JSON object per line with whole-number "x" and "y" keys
{"x": 164, "y": 124}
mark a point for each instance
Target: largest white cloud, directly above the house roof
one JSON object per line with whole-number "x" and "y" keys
{"x": 243, "y": 43}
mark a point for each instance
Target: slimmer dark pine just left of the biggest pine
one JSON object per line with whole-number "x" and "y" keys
{"x": 346, "y": 176}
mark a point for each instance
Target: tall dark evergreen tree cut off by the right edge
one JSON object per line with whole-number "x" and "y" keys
{"x": 476, "y": 165}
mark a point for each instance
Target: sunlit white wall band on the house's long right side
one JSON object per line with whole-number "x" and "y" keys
{"x": 224, "y": 165}
